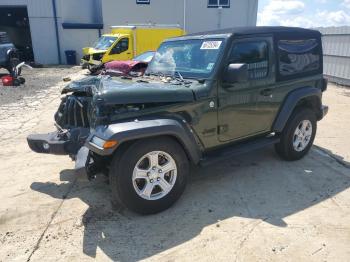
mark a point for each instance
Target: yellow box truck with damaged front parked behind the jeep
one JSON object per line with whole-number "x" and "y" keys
{"x": 126, "y": 42}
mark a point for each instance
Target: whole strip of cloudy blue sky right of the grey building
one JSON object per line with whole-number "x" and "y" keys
{"x": 307, "y": 13}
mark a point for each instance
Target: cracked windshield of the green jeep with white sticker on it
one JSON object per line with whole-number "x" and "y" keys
{"x": 191, "y": 58}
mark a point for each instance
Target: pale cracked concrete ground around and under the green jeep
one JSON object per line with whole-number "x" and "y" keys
{"x": 254, "y": 207}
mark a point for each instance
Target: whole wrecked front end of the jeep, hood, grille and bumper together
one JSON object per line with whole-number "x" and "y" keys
{"x": 94, "y": 103}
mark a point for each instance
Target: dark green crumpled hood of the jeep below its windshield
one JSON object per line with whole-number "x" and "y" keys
{"x": 113, "y": 91}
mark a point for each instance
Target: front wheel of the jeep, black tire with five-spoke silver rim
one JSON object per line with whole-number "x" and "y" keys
{"x": 128, "y": 191}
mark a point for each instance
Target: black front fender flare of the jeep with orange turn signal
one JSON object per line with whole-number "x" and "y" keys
{"x": 137, "y": 129}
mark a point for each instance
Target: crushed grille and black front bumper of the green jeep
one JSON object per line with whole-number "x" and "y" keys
{"x": 72, "y": 120}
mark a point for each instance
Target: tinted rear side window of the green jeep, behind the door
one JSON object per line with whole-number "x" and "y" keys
{"x": 298, "y": 57}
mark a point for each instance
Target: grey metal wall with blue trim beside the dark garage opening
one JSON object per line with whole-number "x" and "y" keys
{"x": 48, "y": 45}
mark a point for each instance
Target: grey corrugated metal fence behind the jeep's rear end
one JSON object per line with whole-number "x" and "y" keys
{"x": 336, "y": 49}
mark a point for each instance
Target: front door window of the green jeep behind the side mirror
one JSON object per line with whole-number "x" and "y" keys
{"x": 255, "y": 55}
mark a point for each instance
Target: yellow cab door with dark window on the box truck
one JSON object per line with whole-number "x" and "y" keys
{"x": 121, "y": 50}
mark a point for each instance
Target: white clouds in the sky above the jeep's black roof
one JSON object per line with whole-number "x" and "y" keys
{"x": 294, "y": 13}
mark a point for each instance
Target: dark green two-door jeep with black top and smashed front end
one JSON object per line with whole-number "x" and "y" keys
{"x": 204, "y": 97}
